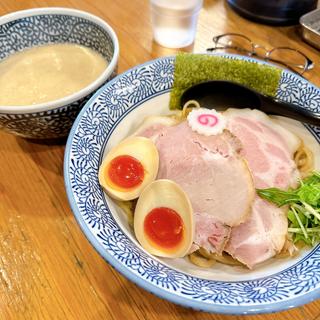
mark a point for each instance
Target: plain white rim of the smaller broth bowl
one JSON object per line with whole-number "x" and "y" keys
{"x": 91, "y": 88}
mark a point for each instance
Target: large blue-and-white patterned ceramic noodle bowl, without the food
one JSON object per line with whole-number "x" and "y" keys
{"x": 112, "y": 114}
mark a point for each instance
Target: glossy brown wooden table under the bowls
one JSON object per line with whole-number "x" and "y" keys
{"x": 48, "y": 269}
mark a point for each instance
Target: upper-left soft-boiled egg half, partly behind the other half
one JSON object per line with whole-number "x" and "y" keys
{"x": 129, "y": 167}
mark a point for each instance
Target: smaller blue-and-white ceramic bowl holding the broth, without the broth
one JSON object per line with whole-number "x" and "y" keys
{"x": 24, "y": 29}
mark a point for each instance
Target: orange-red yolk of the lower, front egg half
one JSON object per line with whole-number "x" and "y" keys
{"x": 164, "y": 227}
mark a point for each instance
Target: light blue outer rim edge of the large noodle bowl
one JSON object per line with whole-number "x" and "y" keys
{"x": 151, "y": 287}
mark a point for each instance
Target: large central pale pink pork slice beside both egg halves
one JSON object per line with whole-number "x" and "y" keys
{"x": 214, "y": 176}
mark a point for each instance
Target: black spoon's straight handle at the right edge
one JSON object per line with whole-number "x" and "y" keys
{"x": 275, "y": 106}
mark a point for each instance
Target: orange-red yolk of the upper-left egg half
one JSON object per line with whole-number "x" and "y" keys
{"x": 125, "y": 171}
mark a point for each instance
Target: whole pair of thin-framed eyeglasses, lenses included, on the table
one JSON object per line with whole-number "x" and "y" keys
{"x": 291, "y": 58}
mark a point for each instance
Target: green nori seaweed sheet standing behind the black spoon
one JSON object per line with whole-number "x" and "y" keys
{"x": 191, "y": 69}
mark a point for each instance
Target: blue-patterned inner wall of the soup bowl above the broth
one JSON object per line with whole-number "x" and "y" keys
{"x": 42, "y": 29}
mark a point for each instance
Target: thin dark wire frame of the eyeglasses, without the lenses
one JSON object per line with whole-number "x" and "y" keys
{"x": 308, "y": 65}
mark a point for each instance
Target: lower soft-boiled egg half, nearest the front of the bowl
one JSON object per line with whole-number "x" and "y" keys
{"x": 163, "y": 220}
